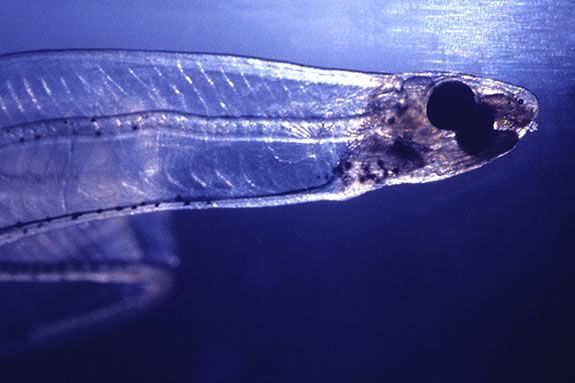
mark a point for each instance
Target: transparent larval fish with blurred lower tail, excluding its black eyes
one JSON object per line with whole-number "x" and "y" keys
{"x": 89, "y": 139}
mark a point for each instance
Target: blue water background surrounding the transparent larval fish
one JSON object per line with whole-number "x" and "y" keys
{"x": 469, "y": 279}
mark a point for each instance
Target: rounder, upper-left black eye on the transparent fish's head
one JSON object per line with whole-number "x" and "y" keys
{"x": 450, "y": 105}
